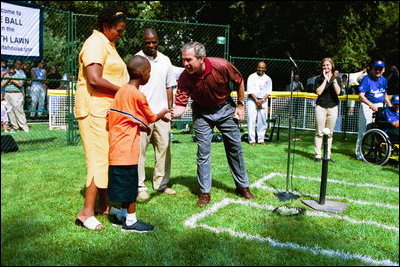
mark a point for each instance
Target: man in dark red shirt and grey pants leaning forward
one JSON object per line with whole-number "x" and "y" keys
{"x": 206, "y": 81}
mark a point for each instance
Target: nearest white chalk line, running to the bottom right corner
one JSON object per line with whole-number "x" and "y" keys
{"x": 314, "y": 250}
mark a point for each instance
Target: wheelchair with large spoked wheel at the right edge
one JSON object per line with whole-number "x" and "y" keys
{"x": 376, "y": 145}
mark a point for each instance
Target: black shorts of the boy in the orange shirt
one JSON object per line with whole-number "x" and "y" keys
{"x": 123, "y": 183}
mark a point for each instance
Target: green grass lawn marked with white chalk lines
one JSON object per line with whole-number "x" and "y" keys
{"x": 42, "y": 192}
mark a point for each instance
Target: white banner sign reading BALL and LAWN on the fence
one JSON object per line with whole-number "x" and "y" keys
{"x": 20, "y": 31}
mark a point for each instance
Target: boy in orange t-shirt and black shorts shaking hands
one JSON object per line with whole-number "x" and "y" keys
{"x": 128, "y": 115}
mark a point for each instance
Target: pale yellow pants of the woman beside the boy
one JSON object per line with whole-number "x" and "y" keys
{"x": 94, "y": 136}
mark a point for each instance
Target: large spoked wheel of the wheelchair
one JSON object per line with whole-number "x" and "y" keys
{"x": 375, "y": 147}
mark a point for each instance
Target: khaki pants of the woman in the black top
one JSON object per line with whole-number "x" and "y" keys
{"x": 325, "y": 118}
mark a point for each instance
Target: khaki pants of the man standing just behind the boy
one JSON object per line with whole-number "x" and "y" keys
{"x": 160, "y": 138}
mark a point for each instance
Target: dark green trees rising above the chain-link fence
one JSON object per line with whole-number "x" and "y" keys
{"x": 350, "y": 31}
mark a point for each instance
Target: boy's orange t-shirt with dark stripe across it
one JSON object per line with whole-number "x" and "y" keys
{"x": 128, "y": 110}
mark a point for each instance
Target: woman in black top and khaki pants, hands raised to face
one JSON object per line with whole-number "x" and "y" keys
{"x": 328, "y": 87}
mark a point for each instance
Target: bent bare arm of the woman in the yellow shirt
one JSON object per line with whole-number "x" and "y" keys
{"x": 95, "y": 79}
